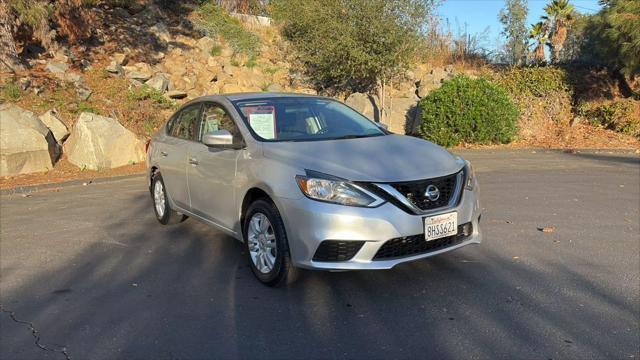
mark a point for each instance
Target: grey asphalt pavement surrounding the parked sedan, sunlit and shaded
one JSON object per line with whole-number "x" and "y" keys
{"x": 86, "y": 272}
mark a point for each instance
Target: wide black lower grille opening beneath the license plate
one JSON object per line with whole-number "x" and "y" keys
{"x": 416, "y": 244}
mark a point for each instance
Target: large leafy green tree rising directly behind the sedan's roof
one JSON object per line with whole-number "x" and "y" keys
{"x": 353, "y": 45}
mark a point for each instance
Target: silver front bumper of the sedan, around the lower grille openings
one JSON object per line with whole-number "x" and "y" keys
{"x": 308, "y": 223}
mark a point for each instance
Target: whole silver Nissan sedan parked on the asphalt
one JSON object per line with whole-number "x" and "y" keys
{"x": 308, "y": 182}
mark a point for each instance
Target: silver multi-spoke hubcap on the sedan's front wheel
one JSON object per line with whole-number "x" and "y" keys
{"x": 262, "y": 243}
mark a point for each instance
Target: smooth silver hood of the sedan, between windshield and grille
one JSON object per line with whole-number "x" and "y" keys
{"x": 377, "y": 159}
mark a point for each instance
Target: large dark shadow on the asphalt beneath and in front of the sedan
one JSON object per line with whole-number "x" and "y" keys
{"x": 185, "y": 291}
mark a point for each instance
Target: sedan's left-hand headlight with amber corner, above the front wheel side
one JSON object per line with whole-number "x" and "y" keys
{"x": 326, "y": 188}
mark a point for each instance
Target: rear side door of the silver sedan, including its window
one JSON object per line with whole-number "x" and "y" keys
{"x": 174, "y": 163}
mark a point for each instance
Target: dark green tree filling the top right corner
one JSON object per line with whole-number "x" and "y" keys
{"x": 612, "y": 37}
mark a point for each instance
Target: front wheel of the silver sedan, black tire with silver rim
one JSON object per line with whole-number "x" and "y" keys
{"x": 282, "y": 271}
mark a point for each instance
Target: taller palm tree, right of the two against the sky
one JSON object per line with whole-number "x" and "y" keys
{"x": 559, "y": 17}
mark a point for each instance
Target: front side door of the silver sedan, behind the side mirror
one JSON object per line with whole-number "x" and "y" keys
{"x": 212, "y": 170}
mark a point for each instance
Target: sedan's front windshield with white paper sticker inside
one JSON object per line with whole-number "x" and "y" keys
{"x": 304, "y": 119}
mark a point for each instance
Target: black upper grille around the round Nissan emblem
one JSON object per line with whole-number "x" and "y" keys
{"x": 415, "y": 191}
